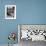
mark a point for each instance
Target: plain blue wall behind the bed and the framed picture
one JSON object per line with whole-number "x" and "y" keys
{"x": 27, "y": 12}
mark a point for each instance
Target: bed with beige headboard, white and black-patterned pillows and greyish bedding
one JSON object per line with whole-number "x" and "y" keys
{"x": 31, "y": 35}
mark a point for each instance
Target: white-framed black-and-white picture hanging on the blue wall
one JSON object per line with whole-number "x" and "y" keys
{"x": 10, "y": 11}
